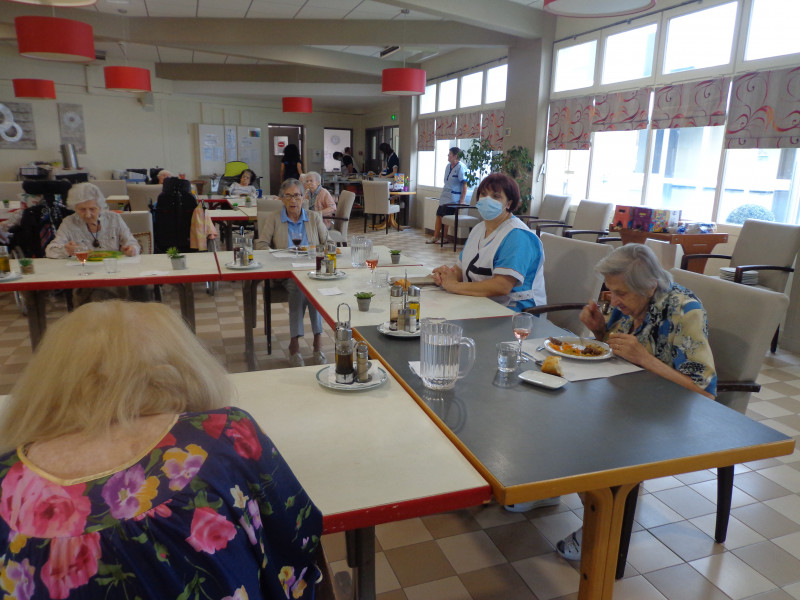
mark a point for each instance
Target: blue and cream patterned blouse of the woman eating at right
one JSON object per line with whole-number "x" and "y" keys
{"x": 675, "y": 330}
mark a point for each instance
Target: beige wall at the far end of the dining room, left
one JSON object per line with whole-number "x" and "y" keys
{"x": 121, "y": 133}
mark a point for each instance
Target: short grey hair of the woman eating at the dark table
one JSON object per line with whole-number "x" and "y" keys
{"x": 639, "y": 267}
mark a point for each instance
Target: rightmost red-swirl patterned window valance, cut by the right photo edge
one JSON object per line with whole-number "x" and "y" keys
{"x": 765, "y": 110}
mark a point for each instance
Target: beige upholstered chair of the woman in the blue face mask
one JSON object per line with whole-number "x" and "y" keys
{"x": 569, "y": 278}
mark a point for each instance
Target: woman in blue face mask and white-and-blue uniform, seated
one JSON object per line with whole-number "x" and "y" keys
{"x": 502, "y": 258}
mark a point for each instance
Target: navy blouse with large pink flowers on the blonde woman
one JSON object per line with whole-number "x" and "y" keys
{"x": 212, "y": 512}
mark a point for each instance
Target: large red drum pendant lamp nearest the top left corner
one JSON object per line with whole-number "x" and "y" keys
{"x": 52, "y": 38}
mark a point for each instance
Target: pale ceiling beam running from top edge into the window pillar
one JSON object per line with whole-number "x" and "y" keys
{"x": 498, "y": 16}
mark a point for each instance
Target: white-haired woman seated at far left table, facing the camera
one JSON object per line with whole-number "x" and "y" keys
{"x": 92, "y": 226}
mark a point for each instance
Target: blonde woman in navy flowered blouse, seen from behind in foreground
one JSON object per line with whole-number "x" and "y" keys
{"x": 122, "y": 475}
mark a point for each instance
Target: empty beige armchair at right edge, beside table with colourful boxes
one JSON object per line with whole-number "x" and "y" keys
{"x": 768, "y": 248}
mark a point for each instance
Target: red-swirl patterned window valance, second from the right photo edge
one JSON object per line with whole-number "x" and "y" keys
{"x": 695, "y": 104}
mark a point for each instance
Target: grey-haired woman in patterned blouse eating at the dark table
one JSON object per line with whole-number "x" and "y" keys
{"x": 656, "y": 324}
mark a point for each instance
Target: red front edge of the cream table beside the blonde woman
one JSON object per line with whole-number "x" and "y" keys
{"x": 368, "y": 517}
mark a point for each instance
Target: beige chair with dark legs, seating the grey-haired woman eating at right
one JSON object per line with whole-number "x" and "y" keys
{"x": 741, "y": 320}
